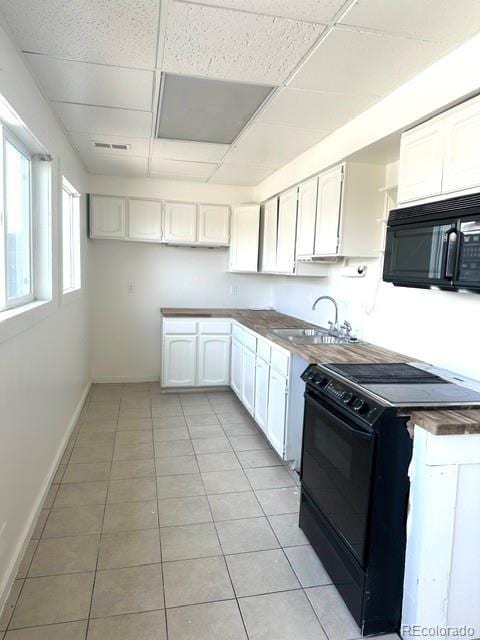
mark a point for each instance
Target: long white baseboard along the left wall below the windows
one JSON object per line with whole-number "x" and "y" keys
{"x": 24, "y": 539}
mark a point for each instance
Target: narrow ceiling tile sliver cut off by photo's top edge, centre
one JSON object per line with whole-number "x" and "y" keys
{"x": 310, "y": 10}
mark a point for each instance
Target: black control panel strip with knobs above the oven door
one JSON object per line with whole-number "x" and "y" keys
{"x": 344, "y": 395}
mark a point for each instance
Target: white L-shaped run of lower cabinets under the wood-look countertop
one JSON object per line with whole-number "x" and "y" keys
{"x": 221, "y": 352}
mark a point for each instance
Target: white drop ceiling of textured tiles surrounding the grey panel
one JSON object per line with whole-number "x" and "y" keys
{"x": 98, "y": 61}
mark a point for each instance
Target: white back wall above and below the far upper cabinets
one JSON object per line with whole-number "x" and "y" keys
{"x": 126, "y": 323}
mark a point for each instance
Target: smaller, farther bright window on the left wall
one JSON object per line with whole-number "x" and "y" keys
{"x": 71, "y": 237}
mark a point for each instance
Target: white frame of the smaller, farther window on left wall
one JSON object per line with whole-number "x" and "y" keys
{"x": 75, "y": 238}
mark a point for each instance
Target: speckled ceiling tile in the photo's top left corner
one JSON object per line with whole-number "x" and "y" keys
{"x": 119, "y": 33}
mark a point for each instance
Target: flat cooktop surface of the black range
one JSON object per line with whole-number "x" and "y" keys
{"x": 404, "y": 385}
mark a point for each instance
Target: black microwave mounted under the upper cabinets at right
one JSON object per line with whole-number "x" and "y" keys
{"x": 436, "y": 244}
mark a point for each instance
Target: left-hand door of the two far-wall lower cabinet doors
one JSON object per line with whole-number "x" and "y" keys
{"x": 179, "y": 361}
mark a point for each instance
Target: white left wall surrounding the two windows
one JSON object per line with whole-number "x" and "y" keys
{"x": 44, "y": 370}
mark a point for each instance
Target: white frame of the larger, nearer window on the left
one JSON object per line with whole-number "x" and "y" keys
{"x": 6, "y": 135}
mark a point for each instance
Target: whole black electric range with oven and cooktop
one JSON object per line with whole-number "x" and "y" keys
{"x": 355, "y": 456}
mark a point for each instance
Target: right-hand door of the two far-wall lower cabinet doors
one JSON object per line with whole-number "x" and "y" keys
{"x": 213, "y": 360}
